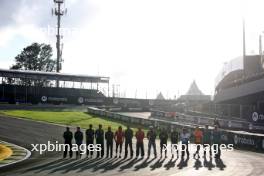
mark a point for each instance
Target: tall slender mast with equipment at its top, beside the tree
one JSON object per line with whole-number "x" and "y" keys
{"x": 59, "y": 11}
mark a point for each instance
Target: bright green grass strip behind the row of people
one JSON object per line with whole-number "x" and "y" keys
{"x": 69, "y": 118}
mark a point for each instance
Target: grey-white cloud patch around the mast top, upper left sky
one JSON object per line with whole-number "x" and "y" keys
{"x": 35, "y": 16}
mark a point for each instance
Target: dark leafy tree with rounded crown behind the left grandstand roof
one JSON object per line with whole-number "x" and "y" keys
{"x": 36, "y": 57}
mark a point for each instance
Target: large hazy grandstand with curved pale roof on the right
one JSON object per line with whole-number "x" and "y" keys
{"x": 239, "y": 90}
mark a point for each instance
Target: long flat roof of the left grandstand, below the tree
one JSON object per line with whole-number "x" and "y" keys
{"x": 38, "y": 75}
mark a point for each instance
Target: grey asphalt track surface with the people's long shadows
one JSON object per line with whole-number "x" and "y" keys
{"x": 26, "y": 132}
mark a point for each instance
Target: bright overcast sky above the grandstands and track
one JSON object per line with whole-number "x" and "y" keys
{"x": 143, "y": 45}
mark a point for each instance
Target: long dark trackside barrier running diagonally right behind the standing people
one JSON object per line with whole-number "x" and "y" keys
{"x": 240, "y": 140}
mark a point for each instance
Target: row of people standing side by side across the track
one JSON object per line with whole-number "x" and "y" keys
{"x": 125, "y": 136}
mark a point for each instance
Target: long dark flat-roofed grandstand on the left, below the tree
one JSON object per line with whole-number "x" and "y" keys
{"x": 19, "y": 86}
